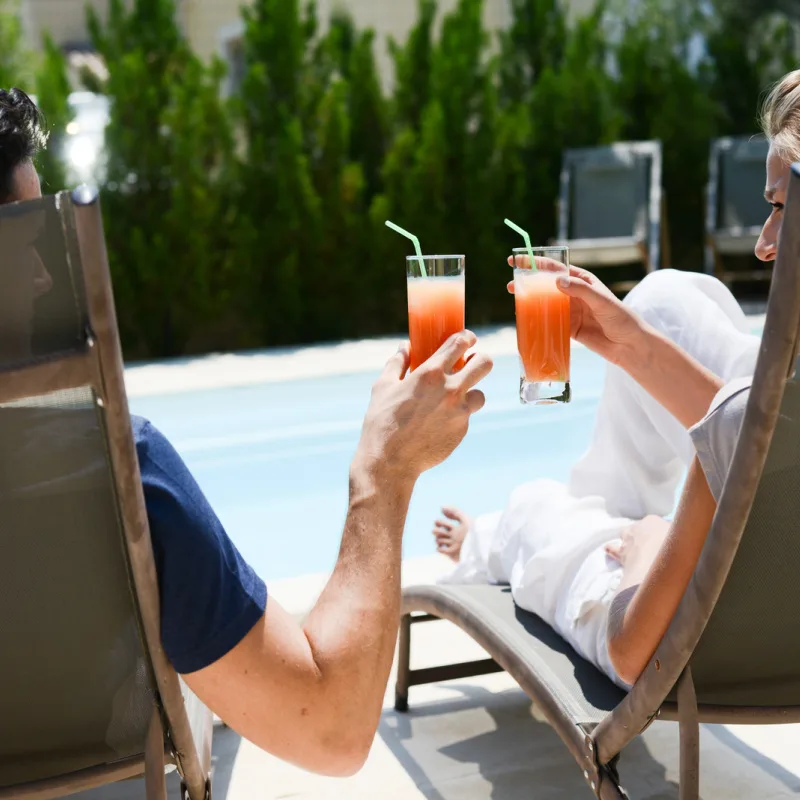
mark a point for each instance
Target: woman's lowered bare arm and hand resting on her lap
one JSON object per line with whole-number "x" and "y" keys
{"x": 651, "y": 590}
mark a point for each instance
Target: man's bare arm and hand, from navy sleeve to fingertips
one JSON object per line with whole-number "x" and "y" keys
{"x": 312, "y": 694}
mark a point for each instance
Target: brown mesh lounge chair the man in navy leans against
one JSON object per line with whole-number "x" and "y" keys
{"x": 88, "y": 696}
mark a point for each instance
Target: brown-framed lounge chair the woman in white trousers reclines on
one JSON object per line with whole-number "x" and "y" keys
{"x": 730, "y": 654}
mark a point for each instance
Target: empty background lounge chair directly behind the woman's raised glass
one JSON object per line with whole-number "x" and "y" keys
{"x": 611, "y": 206}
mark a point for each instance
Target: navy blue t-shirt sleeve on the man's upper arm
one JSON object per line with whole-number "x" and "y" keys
{"x": 210, "y": 597}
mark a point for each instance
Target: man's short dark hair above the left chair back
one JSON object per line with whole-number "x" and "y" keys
{"x": 22, "y": 136}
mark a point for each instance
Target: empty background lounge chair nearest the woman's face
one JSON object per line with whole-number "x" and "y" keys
{"x": 736, "y": 211}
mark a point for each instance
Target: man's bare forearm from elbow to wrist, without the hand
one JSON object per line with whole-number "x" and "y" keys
{"x": 352, "y": 630}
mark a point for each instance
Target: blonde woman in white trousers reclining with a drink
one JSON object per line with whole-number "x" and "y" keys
{"x": 597, "y": 557}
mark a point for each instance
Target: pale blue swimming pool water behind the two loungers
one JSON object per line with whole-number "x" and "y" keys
{"x": 273, "y": 459}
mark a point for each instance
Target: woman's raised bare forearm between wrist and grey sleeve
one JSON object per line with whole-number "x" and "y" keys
{"x": 671, "y": 376}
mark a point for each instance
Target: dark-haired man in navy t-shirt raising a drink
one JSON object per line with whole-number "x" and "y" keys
{"x": 311, "y": 693}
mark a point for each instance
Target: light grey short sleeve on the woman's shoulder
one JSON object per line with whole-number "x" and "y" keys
{"x": 715, "y": 436}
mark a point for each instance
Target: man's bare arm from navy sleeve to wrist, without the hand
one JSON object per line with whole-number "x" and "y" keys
{"x": 312, "y": 694}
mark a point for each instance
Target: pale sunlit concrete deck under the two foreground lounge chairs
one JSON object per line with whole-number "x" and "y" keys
{"x": 479, "y": 739}
